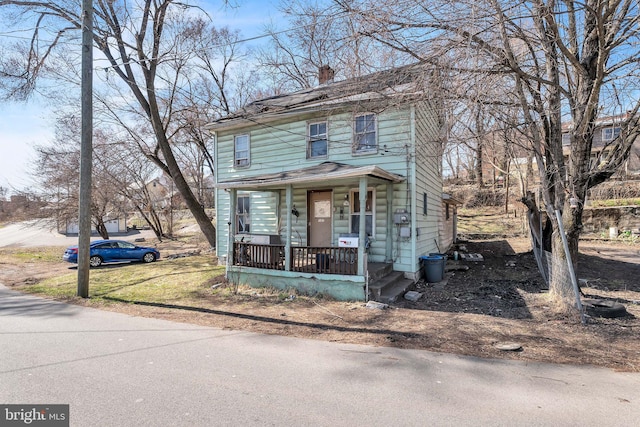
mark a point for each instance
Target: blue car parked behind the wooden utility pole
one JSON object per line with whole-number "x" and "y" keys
{"x": 102, "y": 251}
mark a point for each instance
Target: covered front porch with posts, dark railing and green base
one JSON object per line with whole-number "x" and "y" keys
{"x": 288, "y": 257}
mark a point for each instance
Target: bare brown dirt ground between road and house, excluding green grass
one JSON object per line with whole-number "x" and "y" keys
{"x": 499, "y": 300}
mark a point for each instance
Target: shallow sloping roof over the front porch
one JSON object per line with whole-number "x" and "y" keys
{"x": 322, "y": 173}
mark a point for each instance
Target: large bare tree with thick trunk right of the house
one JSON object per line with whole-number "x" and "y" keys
{"x": 564, "y": 61}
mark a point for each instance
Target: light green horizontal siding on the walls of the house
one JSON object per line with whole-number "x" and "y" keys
{"x": 408, "y": 145}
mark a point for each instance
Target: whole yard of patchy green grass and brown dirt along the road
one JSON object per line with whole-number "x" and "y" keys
{"x": 474, "y": 311}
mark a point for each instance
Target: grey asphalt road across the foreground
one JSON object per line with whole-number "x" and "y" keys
{"x": 118, "y": 370}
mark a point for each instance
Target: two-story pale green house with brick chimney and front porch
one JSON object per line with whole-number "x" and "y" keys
{"x": 329, "y": 189}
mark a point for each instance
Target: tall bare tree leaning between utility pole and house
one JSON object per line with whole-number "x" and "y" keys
{"x": 148, "y": 46}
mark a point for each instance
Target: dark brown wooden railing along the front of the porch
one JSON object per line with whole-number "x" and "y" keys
{"x": 306, "y": 259}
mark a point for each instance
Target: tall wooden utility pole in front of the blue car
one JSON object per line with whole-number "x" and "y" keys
{"x": 86, "y": 149}
